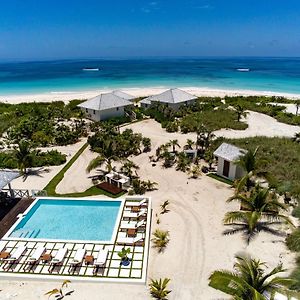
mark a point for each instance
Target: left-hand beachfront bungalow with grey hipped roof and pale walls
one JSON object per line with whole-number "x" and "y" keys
{"x": 105, "y": 106}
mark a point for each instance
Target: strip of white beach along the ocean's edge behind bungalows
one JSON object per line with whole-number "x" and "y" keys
{"x": 138, "y": 92}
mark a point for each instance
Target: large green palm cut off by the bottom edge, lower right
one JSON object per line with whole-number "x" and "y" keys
{"x": 249, "y": 280}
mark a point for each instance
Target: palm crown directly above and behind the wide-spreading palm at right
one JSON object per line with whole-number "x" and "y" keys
{"x": 260, "y": 200}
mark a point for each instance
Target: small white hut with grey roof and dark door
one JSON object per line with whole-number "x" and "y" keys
{"x": 227, "y": 155}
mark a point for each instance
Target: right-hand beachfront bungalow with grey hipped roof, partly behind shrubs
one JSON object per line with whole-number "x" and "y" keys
{"x": 173, "y": 98}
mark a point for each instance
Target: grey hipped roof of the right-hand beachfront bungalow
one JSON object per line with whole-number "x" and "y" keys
{"x": 172, "y": 96}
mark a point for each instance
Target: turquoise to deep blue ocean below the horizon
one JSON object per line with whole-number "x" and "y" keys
{"x": 63, "y": 76}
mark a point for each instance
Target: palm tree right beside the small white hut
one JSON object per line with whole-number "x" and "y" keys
{"x": 250, "y": 164}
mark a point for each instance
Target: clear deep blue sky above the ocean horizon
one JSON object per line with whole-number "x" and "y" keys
{"x": 51, "y": 29}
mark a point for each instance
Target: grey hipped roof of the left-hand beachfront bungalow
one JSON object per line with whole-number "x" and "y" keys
{"x": 105, "y": 101}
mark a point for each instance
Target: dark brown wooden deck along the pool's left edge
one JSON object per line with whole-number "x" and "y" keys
{"x": 11, "y": 217}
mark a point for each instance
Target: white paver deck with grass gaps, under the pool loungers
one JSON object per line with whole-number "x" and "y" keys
{"x": 113, "y": 270}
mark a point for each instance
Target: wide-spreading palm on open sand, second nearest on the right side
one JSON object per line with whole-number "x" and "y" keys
{"x": 250, "y": 223}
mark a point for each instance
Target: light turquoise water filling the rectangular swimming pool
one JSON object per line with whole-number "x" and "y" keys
{"x": 69, "y": 220}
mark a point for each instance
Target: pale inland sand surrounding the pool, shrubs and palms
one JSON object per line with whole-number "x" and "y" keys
{"x": 197, "y": 246}
